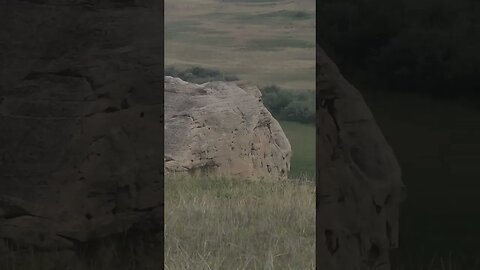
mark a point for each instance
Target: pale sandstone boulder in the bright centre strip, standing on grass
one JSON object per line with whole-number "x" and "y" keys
{"x": 223, "y": 128}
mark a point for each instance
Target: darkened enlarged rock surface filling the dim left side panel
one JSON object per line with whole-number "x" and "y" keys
{"x": 81, "y": 122}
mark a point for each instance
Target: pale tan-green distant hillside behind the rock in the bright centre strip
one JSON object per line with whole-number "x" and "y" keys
{"x": 266, "y": 42}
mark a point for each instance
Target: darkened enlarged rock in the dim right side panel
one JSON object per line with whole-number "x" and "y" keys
{"x": 359, "y": 179}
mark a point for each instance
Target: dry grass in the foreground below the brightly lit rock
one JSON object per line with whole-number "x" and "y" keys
{"x": 239, "y": 224}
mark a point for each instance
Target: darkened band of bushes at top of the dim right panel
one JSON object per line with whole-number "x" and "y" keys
{"x": 428, "y": 46}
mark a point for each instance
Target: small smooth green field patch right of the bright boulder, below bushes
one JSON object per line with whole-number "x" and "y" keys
{"x": 302, "y": 139}
